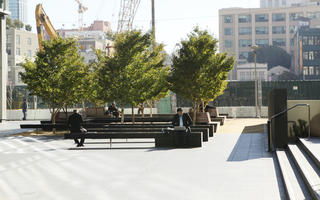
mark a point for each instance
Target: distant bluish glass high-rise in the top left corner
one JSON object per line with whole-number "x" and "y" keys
{"x": 19, "y": 9}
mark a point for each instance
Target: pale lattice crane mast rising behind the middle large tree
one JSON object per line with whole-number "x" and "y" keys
{"x": 128, "y": 9}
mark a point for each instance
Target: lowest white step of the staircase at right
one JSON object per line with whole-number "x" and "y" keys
{"x": 294, "y": 185}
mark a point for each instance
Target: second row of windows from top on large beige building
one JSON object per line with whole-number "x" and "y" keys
{"x": 260, "y": 30}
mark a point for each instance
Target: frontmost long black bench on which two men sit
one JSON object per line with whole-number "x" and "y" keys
{"x": 161, "y": 140}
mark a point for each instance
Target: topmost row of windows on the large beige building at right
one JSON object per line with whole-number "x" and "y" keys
{"x": 276, "y": 17}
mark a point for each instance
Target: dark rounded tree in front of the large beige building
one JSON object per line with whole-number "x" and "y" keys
{"x": 272, "y": 55}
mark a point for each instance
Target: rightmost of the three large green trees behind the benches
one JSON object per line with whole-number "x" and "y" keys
{"x": 199, "y": 72}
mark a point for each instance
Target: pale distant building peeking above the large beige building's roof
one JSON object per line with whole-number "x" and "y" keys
{"x": 284, "y": 3}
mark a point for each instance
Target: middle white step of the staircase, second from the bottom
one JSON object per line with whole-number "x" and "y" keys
{"x": 307, "y": 170}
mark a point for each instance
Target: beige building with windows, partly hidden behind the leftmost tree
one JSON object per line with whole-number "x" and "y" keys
{"x": 21, "y": 44}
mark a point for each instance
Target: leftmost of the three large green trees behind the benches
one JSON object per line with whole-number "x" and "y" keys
{"x": 57, "y": 74}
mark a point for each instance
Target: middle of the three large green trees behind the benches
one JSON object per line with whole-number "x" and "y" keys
{"x": 128, "y": 76}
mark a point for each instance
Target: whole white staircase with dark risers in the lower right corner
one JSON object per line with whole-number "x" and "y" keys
{"x": 299, "y": 166}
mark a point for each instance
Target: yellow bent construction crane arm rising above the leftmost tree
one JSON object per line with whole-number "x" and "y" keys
{"x": 43, "y": 21}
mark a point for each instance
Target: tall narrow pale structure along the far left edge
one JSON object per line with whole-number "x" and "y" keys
{"x": 3, "y": 60}
